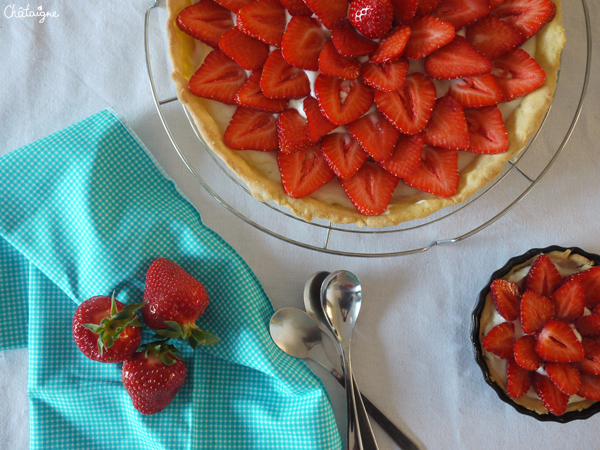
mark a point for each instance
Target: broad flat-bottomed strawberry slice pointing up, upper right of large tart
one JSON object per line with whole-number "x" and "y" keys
{"x": 457, "y": 59}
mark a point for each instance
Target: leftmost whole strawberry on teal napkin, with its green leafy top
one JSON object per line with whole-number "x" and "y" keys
{"x": 106, "y": 330}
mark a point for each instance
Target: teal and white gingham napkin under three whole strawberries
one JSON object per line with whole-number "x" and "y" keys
{"x": 84, "y": 212}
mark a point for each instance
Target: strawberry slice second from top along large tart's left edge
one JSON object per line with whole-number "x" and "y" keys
{"x": 218, "y": 78}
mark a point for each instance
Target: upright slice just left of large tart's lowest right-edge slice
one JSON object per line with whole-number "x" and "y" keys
{"x": 447, "y": 126}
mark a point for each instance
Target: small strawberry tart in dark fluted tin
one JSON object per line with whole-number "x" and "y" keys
{"x": 537, "y": 330}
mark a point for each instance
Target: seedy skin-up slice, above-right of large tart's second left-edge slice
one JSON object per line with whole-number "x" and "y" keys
{"x": 248, "y": 52}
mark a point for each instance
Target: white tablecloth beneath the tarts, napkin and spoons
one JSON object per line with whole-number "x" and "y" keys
{"x": 411, "y": 350}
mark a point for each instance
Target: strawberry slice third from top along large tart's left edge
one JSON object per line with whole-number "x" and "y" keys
{"x": 251, "y": 130}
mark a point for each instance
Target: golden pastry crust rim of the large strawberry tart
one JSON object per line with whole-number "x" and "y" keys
{"x": 187, "y": 54}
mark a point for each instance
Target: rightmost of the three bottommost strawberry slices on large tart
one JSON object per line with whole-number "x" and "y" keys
{"x": 437, "y": 173}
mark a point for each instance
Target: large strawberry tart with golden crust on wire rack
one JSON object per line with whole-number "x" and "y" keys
{"x": 371, "y": 112}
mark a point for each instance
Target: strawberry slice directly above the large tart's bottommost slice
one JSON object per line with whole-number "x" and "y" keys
{"x": 375, "y": 134}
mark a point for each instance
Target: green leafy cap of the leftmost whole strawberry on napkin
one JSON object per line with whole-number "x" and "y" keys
{"x": 110, "y": 328}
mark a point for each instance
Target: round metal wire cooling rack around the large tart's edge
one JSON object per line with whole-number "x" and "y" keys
{"x": 450, "y": 225}
